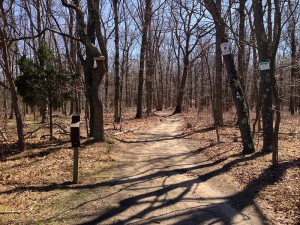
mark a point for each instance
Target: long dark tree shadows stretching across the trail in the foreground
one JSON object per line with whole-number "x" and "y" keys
{"x": 240, "y": 200}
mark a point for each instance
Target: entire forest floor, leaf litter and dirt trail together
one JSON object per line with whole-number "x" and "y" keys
{"x": 156, "y": 170}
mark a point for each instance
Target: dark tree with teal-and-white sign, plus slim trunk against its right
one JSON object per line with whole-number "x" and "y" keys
{"x": 268, "y": 86}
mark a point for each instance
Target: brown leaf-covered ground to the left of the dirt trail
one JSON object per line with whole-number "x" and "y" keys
{"x": 35, "y": 184}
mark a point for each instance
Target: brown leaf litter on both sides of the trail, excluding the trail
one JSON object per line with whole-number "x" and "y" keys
{"x": 34, "y": 181}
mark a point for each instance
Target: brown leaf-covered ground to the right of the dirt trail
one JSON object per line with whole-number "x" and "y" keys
{"x": 278, "y": 189}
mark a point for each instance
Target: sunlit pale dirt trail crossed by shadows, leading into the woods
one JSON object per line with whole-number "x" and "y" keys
{"x": 158, "y": 183}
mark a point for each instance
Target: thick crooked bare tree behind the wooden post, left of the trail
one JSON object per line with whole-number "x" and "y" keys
{"x": 88, "y": 32}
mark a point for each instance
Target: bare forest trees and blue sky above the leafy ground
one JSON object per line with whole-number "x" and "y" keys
{"x": 98, "y": 56}
